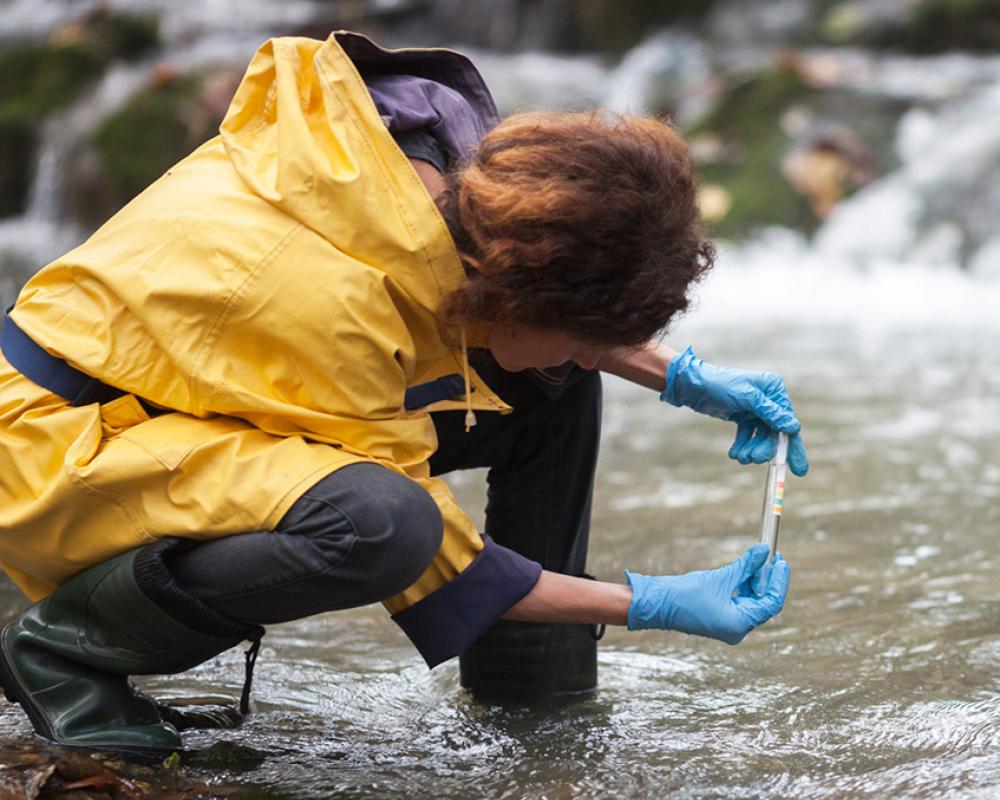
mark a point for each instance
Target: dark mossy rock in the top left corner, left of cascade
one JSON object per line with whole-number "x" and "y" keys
{"x": 39, "y": 79}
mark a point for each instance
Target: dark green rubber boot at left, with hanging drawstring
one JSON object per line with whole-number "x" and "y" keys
{"x": 66, "y": 660}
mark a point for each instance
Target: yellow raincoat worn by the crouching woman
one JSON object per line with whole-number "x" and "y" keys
{"x": 277, "y": 289}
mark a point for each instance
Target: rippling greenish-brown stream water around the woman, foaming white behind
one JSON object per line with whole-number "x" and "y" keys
{"x": 882, "y": 676}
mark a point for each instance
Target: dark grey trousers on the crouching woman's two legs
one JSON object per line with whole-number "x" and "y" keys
{"x": 365, "y": 533}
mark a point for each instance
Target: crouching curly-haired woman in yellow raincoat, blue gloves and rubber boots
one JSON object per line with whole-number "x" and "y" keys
{"x": 228, "y": 407}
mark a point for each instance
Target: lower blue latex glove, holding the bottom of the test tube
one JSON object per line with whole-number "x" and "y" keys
{"x": 718, "y": 603}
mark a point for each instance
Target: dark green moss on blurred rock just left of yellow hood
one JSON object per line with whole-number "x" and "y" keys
{"x": 140, "y": 141}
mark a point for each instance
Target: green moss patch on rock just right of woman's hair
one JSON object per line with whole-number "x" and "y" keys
{"x": 747, "y": 121}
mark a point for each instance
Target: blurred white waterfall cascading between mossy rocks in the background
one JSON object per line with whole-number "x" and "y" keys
{"x": 936, "y": 211}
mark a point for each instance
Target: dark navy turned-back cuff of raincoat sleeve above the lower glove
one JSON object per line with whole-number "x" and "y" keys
{"x": 450, "y": 619}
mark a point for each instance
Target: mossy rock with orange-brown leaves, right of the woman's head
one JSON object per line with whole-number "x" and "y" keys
{"x": 776, "y": 145}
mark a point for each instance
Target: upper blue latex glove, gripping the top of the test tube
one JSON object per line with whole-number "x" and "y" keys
{"x": 756, "y": 401}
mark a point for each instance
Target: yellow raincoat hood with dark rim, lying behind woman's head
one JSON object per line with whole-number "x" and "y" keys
{"x": 304, "y": 134}
